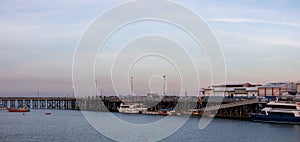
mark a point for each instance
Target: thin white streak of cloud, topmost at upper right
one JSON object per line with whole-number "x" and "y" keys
{"x": 255, "y": 21}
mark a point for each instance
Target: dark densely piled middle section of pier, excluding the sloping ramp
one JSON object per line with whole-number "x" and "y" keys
{"x": 152, "y": 101}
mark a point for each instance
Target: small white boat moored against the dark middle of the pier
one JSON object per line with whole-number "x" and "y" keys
{"x": 132, "y": 108}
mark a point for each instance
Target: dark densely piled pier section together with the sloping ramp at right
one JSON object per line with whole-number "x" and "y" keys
{"x": 230, "y": 108}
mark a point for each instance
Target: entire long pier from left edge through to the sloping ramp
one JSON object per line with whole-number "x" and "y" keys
{"x": 230, "y": 108}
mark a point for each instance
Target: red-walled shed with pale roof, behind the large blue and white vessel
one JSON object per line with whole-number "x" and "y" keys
{"x": 277, "y": 89}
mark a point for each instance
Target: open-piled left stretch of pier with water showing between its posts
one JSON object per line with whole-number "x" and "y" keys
{"x": 38, "y": 102}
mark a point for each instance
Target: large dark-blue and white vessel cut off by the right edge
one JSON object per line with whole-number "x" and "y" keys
{"x": 279, "y": 112}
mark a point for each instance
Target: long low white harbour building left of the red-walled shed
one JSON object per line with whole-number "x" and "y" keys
{"x": 232, "y": 90}
